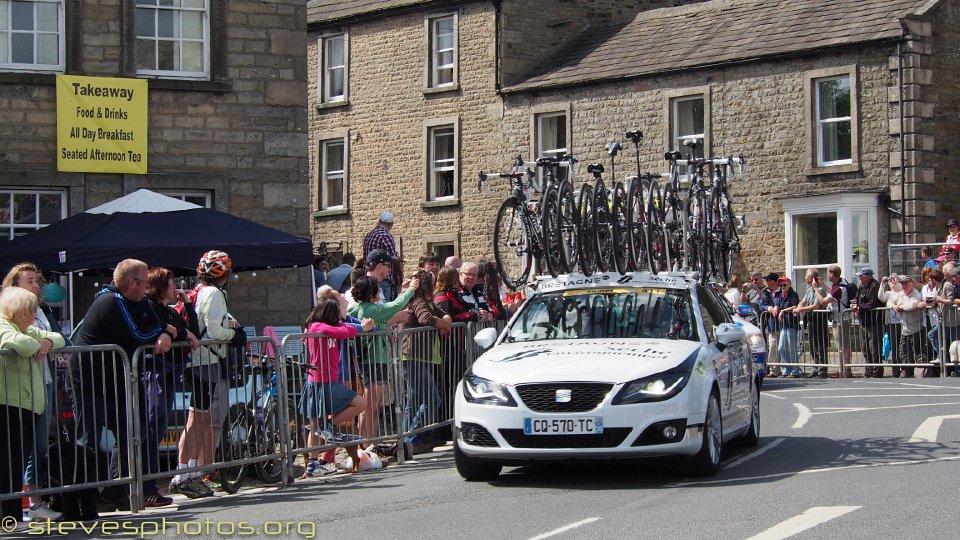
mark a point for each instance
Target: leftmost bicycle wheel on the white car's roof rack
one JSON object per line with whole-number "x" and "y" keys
{"x": 511, "y": 245}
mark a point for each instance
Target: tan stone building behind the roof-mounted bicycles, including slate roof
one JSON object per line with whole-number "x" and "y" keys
{"x": 843, "y": 109}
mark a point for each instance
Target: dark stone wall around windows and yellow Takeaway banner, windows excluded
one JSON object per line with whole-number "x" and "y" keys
{"x": 243, "y": 135}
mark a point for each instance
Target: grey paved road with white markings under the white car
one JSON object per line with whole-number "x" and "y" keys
{"x": 837, "y": 459}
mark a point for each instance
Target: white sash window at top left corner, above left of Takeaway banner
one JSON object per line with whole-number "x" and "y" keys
{"x": 31, "y": 35}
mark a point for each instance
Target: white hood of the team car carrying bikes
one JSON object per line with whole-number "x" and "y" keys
{"x": 582, "y": 360}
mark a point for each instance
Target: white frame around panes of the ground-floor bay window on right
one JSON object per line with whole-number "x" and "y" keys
{"x": 844, "y": 206}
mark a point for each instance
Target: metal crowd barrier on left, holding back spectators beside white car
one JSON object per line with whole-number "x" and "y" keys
{"x": 116, "y": 424}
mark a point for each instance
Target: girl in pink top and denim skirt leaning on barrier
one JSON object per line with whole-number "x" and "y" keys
{"x": 322, "y": 396}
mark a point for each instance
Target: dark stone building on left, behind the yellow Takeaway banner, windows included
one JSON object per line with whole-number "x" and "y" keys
{"x": 227, "y": 121}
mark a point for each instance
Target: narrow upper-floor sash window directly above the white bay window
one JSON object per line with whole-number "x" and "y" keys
{"x": 834, "y": 145}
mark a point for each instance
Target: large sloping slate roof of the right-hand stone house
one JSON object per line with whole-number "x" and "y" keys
{"x": 716, "y": 32}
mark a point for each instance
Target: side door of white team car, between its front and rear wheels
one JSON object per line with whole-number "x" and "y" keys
{"x": 736, "y": 359}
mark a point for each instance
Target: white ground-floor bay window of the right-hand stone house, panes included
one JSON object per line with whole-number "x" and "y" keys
{"x": 830, "y": 229}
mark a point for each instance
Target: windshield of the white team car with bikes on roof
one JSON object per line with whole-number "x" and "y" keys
{"x": 600, "y": 313}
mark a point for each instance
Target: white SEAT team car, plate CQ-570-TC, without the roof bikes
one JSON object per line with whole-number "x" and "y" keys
{"x": 608, "y": 366}
